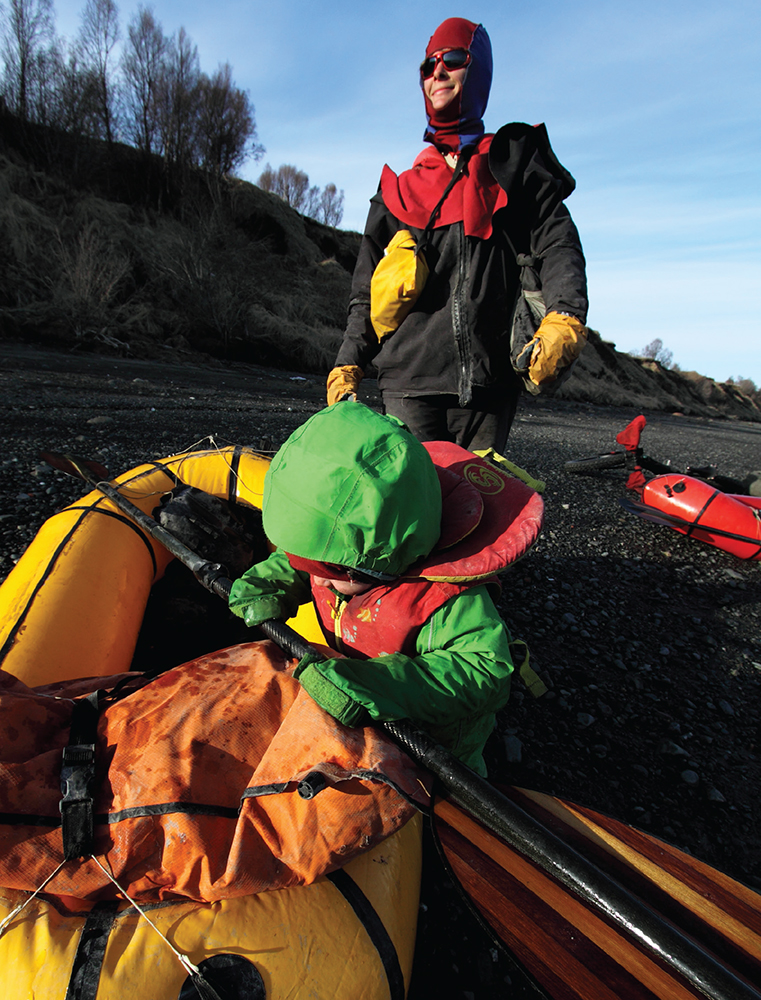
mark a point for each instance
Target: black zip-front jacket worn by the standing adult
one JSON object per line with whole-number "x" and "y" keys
{"x": 458, "y": 334}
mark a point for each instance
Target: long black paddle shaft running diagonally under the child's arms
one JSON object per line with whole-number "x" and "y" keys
{"x": 487, "y": 805}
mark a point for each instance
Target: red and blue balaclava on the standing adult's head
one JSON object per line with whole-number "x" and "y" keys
{"x": 461, "y": 122}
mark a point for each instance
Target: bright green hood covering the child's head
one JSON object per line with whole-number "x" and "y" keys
{"x": 354, "y": 488}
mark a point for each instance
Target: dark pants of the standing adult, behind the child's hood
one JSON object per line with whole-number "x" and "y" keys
{"x": 484, "y": 424}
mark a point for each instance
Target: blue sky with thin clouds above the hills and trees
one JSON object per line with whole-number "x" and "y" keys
{"x": 654, "y": 107}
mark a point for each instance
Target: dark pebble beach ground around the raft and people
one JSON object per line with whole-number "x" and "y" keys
{"x": 649, "y": 642}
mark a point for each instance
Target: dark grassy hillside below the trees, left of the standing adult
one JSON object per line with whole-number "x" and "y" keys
{"x": 100, "y": 248}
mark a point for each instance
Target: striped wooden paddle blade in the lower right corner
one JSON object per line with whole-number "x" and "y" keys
{"x": 573, "y": 951}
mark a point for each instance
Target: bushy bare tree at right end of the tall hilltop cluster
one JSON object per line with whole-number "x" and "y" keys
{"x": 226, "y": 125}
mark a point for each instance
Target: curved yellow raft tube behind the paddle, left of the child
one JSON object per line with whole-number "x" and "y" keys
{"x": 73, "y": 604}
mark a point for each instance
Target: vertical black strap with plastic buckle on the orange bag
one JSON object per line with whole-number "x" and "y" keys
{"x": 77, "y": 775}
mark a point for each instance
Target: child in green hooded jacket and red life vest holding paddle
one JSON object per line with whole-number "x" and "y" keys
{"x": 353, "y": 502}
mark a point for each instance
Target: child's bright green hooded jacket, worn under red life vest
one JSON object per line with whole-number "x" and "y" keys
{"x": 357, "y": 489}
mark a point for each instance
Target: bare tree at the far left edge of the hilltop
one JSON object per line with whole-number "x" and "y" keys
{"x": 28, "y": 32}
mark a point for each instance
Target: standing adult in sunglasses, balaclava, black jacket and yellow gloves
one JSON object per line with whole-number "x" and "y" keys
{"x": 501, "y": 252}
